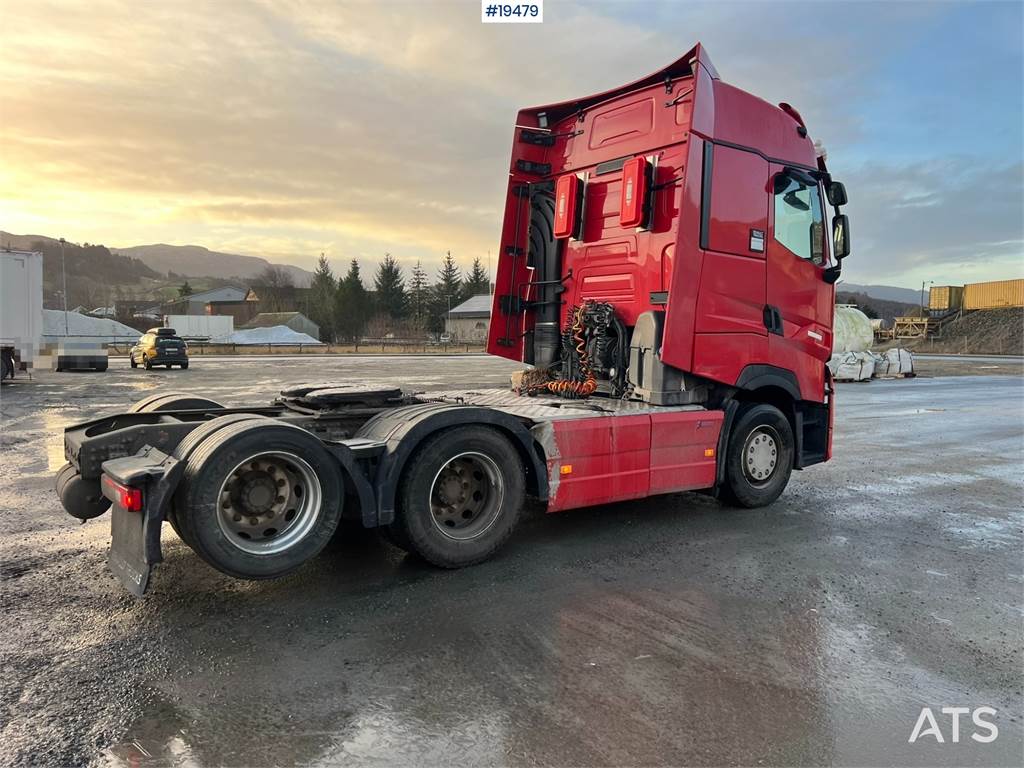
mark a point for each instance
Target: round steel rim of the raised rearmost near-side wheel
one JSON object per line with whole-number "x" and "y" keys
{"x": 270, "y": 503}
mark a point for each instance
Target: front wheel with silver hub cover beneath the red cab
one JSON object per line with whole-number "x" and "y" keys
{"x": 759, "y": 457}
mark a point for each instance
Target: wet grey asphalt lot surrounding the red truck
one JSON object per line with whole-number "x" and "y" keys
{"x": 670, "y": 631}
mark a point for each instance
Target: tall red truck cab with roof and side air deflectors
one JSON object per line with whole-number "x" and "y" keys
{"x": 698, "y": 212}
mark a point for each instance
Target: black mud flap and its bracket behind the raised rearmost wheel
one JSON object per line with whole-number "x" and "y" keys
{"x": 136, "y": 536}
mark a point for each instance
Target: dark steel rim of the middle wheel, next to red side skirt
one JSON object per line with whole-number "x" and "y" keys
{"x": 466, "y": 496}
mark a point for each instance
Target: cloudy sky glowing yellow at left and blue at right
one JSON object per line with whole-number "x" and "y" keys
{"x": 287, "y": 130}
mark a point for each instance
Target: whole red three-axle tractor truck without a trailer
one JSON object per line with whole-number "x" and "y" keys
{"x": 665, "y": 275}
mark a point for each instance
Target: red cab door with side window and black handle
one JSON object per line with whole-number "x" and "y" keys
{"x": 800, "y": 305}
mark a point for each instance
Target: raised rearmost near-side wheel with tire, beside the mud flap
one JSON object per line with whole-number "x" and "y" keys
{"x": 227, "y": 508}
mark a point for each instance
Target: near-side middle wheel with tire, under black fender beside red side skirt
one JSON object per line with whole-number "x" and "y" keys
{"x": 460, "y": 497}
